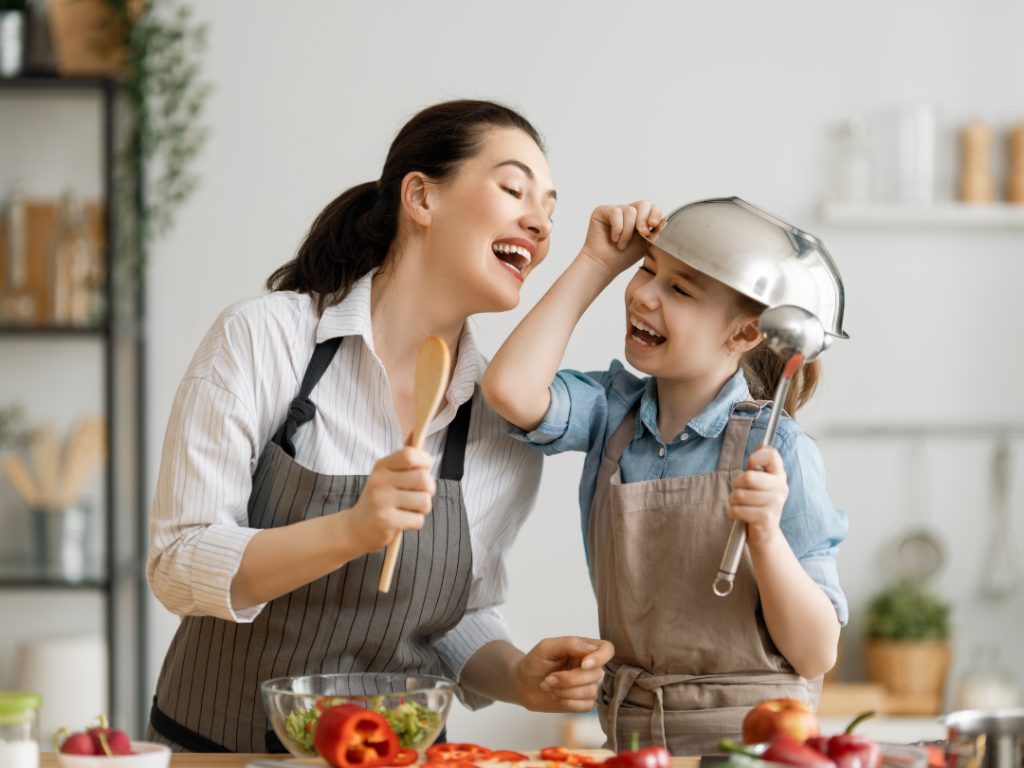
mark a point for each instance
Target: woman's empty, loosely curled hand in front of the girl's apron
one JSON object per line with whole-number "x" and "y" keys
{"x": 563, "y": 674}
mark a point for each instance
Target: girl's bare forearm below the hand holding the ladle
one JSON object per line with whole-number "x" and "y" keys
{"x": 799, "y": 615}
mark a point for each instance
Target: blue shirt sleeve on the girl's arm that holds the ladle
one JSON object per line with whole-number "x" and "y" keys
{"x": 813, "y": 527}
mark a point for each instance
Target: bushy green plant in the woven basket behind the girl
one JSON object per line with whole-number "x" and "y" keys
{"x": 908, "y": 612}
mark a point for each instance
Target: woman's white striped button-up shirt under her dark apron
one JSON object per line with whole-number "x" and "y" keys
{"x": 235, "y": 397}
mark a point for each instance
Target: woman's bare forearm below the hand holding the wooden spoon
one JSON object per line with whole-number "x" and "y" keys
{"x": 280, "y": 561}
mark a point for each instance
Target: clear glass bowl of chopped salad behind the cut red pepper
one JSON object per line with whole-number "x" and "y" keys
{"x": 416, "y": 706}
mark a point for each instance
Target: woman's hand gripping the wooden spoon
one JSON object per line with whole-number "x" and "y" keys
{"x": 398, "y": 496}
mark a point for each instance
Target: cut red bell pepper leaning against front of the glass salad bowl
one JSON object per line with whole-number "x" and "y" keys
{"x": 349, "y": 737}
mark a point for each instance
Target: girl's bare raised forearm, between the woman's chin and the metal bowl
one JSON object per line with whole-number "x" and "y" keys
{"x": 518, "y": 379}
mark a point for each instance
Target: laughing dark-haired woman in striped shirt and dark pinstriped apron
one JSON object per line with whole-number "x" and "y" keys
{"x": 295, "y": 407}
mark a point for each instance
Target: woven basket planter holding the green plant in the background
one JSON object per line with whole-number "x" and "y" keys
{"x": 912, "y": 670}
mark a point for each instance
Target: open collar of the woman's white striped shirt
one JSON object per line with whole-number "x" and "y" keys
{"x": 352, "y": 317}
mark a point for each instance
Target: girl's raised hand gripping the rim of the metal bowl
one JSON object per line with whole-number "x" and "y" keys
{"x": 612, "y": 241}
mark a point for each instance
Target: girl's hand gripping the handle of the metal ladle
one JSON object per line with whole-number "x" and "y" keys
{"x": 758, "y": 497}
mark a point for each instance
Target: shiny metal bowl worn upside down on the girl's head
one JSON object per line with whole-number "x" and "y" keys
{"x": 759, "y": 255}
